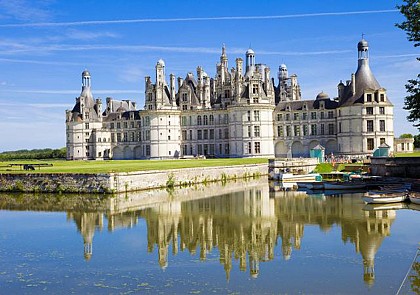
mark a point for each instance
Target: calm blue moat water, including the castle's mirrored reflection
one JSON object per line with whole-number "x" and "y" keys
{"x": 240, "y": 238}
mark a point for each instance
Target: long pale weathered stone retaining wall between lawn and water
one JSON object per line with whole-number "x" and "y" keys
{"x": 124, "y": 182}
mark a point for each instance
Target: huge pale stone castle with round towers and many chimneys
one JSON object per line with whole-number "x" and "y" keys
{"x": 238, "y": 113}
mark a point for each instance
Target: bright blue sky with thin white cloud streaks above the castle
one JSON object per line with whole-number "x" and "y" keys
{"x": 46, "y": 44}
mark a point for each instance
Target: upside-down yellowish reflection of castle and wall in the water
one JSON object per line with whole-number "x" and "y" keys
{"x": 243, "y": 225}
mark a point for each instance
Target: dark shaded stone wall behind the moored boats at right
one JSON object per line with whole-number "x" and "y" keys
{"x": 400, "y": 167}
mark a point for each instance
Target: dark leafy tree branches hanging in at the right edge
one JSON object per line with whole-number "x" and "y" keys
{"x": 411, "y": 11}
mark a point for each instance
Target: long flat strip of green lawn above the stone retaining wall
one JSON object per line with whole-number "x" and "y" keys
{"x": 61, "y": 166}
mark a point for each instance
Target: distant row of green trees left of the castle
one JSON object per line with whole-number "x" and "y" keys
{"x": 34, "y": 154}
